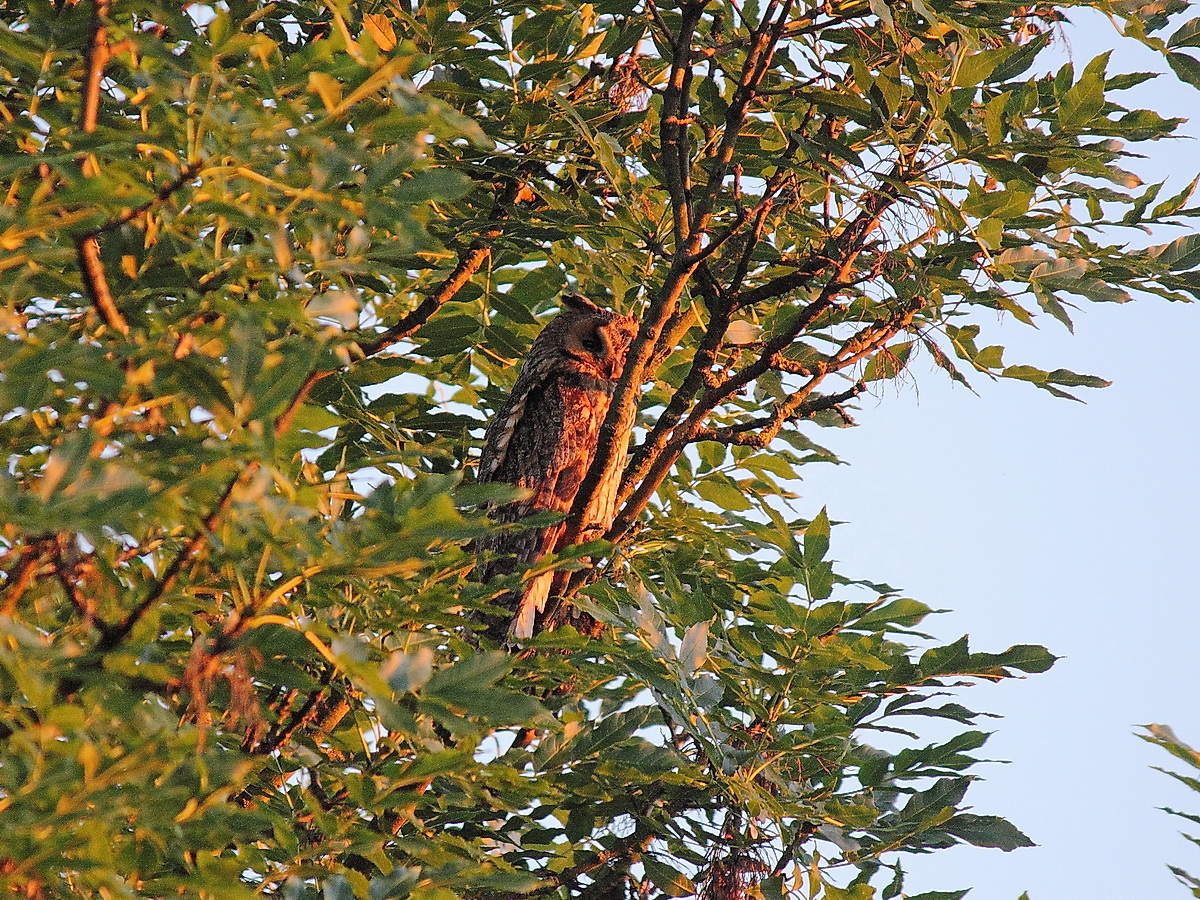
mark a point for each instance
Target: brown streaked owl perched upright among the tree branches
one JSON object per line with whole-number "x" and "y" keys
{"x": 544, "y": 440}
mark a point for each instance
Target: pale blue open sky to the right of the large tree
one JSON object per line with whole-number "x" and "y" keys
{"x": 1075, "y": 526}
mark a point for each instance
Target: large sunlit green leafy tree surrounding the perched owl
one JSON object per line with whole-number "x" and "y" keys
{"x": 269, "y": 267}
